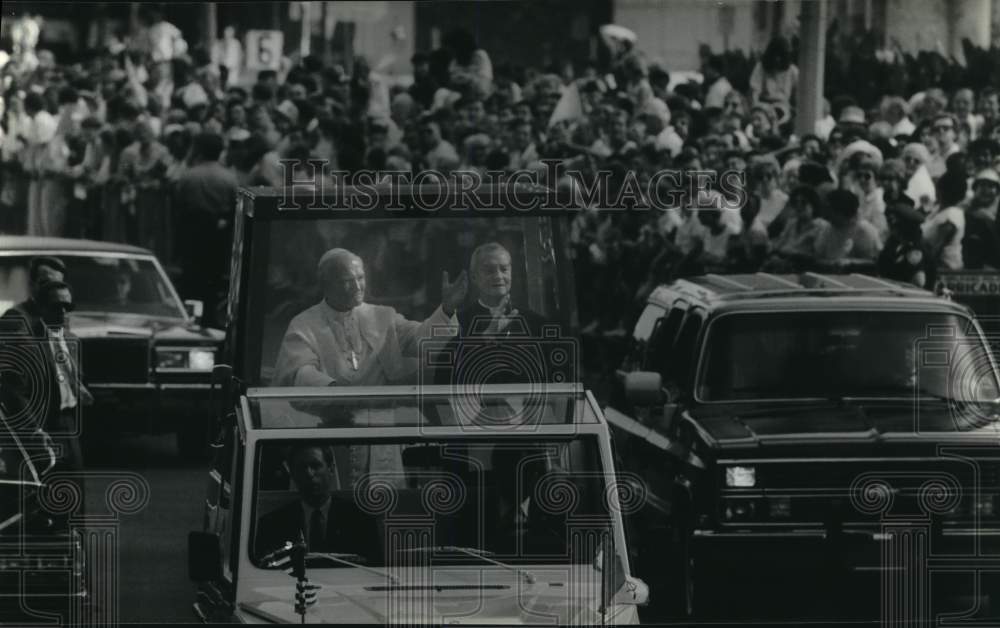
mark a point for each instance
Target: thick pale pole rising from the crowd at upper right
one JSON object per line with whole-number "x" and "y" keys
{"x": 812, "y": 58}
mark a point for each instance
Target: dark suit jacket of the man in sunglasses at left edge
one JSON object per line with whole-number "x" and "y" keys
{"x": 24, "y": 342}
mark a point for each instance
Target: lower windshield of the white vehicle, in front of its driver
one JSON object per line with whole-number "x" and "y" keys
{"x": 381, "y": 503}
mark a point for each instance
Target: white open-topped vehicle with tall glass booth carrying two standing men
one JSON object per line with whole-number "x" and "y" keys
{"x": 402, "y": 437}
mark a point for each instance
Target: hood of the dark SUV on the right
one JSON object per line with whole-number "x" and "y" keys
{"x": 852, "y": 421}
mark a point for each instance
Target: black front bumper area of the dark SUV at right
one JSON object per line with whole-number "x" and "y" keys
{"x": 852, "y": 573}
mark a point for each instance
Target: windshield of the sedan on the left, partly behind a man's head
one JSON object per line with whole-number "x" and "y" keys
{"x": 101, "y": 284}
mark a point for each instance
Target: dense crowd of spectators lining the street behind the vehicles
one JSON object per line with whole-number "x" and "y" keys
{"x": 149, "y": 135}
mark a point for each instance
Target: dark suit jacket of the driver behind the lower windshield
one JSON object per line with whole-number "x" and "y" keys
{"x": 348, "y": 530}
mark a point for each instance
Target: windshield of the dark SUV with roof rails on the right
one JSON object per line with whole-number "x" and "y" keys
{"x": 837, "y": 354}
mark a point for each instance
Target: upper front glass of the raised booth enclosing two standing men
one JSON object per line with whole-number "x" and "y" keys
{"x": 401, "y": 268}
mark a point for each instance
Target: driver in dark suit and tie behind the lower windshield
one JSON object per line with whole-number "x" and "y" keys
{"x": 328, "y": 524}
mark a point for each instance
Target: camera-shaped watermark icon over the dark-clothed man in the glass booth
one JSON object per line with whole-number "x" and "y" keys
{"x": 498, "y": 379}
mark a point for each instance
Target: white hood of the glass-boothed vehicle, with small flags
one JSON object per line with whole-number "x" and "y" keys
{"x": 460, "y": 596}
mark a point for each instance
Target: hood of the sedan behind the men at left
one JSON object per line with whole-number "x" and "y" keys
{"x": 102, "y": 325}
